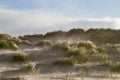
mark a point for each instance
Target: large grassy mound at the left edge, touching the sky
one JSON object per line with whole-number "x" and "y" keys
{"x": 8, "y": 42}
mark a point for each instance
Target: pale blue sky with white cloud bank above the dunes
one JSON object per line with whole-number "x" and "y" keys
{"x": 18, "y": 17}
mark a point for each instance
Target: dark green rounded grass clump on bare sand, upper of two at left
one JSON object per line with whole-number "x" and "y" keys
{"x": 20, "y": 58}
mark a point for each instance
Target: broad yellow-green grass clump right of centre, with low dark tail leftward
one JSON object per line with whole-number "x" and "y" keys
{"x": 73, "y": 57}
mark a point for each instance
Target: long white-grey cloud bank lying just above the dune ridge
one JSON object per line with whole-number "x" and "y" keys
{"x": 39, "y": 21}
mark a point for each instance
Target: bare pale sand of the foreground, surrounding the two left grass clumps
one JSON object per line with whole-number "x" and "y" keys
{"x": 43, "y": 58}
